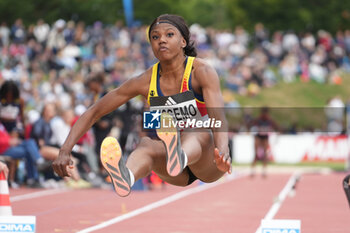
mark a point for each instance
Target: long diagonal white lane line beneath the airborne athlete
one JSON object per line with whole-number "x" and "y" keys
{"x": 160, "y": 203}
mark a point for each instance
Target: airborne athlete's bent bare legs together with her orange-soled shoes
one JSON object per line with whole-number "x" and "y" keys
{"x": 196, "y": 147}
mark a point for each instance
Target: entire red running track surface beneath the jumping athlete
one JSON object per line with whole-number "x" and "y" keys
{"x": 229, "y": 206}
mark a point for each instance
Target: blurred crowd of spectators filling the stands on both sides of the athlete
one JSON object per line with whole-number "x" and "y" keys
{"x": 66, "y": 66}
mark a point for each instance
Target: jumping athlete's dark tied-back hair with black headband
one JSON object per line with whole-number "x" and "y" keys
{"x": 178, "y": 22}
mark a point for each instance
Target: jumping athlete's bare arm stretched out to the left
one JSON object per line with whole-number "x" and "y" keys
{"x": 108, "y": 103}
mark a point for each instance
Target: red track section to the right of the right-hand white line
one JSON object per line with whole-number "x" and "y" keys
{"x": 320, "y": 203}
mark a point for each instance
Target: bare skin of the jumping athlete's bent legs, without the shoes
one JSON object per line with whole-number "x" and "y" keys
{"x": 151, "y": 155}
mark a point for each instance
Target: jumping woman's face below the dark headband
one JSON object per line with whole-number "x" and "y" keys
{"x": 166, "y": 41}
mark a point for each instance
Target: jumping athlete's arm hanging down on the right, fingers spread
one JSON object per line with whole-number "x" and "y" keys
{"x": 210, "y": 84}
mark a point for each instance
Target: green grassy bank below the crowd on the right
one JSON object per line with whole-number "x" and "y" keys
{"x": 297, "y": 103}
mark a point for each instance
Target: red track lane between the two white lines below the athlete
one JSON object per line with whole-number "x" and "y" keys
{"x": 235, "y": 206}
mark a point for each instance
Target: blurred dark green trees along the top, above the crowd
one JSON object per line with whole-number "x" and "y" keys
{"x": 299, "y": 15}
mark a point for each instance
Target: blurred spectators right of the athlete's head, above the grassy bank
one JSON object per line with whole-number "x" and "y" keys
{"x": 248, "y": 62}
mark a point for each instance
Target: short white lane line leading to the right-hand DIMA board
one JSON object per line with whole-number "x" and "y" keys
{"x": 281, "y": 197}
